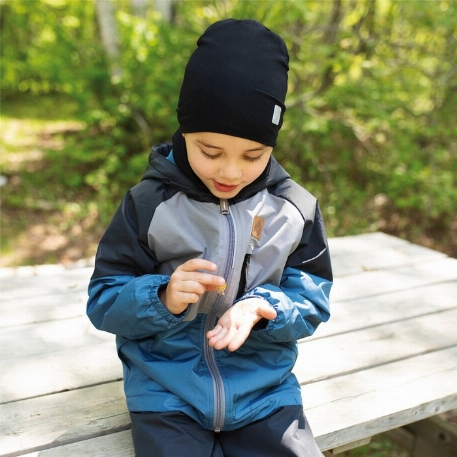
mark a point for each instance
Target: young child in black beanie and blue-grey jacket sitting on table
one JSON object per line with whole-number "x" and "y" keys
{"x": 215, "y": 265}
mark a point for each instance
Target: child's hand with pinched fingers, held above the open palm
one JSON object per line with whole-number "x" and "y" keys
{"x": 187, "y": 283}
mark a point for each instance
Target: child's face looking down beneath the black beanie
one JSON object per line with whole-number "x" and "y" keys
{"x": 225, "y": 164}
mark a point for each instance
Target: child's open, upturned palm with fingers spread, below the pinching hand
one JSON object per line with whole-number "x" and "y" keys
{"x": 236, "y": 323}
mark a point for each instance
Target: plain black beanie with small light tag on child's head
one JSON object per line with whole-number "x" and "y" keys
{"x": 236, "y": 82}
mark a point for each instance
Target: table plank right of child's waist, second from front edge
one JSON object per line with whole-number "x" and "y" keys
{"x": 350, "y": 352}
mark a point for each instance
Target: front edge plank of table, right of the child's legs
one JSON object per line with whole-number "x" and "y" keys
{"x": 388, "y": 396}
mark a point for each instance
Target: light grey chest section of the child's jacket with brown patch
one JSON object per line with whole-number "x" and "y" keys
{"x": 266, "y": 227}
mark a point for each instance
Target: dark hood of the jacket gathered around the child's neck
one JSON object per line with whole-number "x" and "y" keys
{"x": 162, "y": 169}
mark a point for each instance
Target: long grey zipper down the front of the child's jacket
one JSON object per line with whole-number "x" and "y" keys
{"x": 218, "y": 383}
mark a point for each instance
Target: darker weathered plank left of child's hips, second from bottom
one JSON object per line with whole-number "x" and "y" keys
{"x": 62, "y": 418}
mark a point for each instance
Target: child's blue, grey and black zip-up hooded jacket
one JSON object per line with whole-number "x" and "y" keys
{"x": 269, "y": 242}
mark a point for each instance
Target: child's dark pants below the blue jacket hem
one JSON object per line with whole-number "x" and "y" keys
{"x": 285, "y": 433}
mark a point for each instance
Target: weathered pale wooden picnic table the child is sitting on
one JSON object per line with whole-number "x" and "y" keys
{"x": 386, "y": 358}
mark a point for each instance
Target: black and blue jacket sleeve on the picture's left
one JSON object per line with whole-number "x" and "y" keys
{"x": 123, "y": 291}
